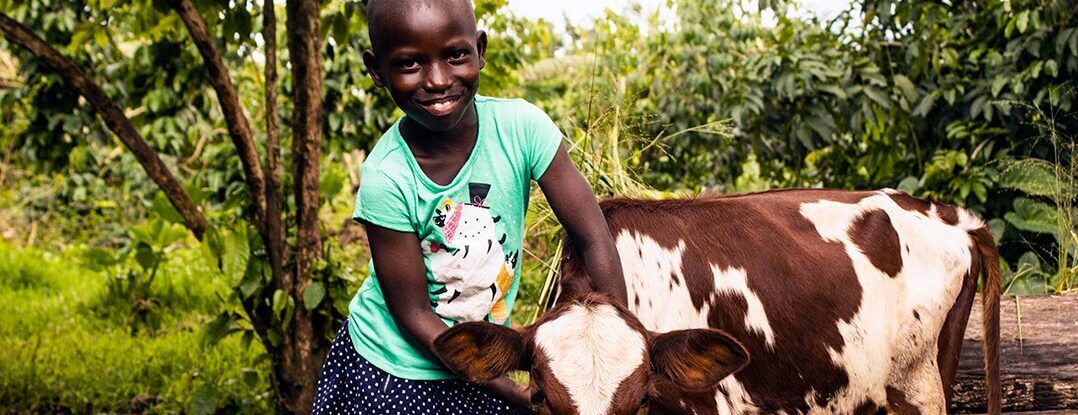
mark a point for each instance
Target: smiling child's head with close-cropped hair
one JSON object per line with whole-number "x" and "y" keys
{"x": 430, "y": 59}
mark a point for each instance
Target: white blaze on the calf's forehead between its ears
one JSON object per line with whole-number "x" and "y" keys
{"x": 604, "y": 352}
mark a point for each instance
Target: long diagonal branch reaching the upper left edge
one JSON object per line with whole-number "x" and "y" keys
{"x": 115, "y": 119}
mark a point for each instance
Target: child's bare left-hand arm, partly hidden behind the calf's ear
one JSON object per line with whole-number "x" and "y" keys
{"x": 403, "y": 279}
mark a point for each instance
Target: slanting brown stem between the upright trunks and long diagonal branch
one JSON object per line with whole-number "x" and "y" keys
{"x": 240, "y": 130}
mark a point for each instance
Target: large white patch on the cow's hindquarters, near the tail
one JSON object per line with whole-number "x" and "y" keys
{"x": 884, "y": 343}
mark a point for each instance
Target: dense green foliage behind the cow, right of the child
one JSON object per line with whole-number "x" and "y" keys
{"x": 968, "y": 104}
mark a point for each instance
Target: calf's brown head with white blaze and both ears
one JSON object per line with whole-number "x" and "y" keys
{"x": 591, "y": 357}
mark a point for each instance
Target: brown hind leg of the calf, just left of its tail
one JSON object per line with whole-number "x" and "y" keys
{"x": 955, "y": 329}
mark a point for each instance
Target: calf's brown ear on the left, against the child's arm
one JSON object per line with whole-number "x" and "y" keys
{"x": 480, "y": 352}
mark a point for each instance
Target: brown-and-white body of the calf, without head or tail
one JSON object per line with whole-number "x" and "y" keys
{"x": 837, "y": 296}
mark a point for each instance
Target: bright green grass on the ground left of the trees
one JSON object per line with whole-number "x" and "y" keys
{"x": 66, "y": 347}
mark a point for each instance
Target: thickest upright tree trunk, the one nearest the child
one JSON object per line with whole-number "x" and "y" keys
{"x": 305, "y": 347}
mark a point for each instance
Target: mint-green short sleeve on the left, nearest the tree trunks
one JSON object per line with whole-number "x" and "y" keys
{"x": 382, "y": 202}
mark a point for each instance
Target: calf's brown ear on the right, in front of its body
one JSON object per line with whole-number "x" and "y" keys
{"x": 697, "y": 359}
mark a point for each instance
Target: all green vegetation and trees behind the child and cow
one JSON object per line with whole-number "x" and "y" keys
{"x": 119, "y": 296}
